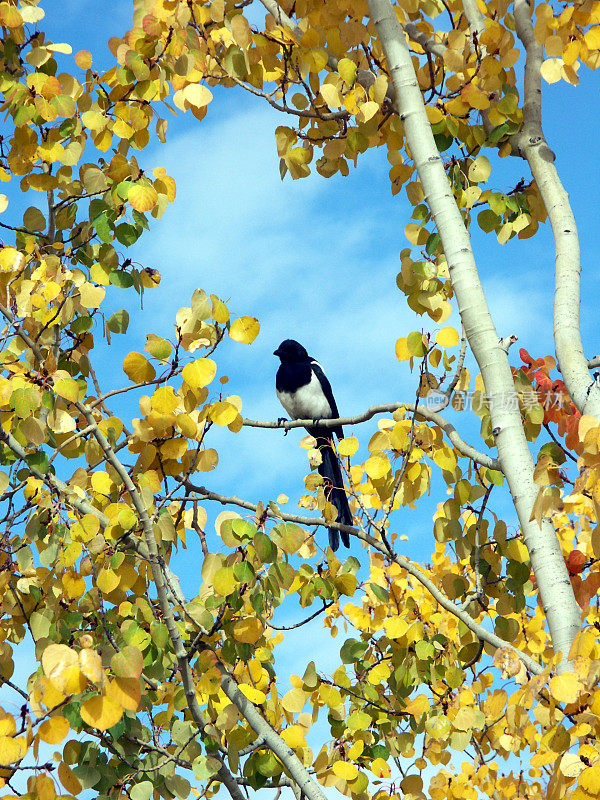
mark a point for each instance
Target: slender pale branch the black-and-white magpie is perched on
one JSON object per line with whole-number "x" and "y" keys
{"x": 422, "y": 411}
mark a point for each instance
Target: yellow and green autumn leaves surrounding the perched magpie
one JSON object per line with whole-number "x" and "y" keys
{"x": 448, "y": 683}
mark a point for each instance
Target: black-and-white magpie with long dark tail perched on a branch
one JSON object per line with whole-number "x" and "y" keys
{"x": 305, "y": 393}
